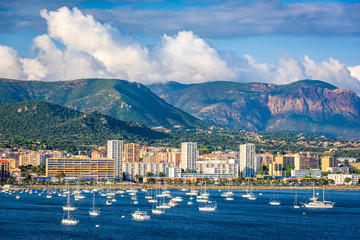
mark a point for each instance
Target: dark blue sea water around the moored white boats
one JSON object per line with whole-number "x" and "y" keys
{"x": 37, "y": 217}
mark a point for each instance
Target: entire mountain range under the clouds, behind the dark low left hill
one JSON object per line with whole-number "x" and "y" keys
{"x": 302, "y": 106}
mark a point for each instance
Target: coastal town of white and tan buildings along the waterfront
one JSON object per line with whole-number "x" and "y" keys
{"x": 131, "y": 162}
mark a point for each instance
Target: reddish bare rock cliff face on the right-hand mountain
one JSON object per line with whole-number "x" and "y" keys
{"x": 317, "y": 103}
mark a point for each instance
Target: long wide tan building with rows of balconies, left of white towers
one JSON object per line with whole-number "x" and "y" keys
{"x": 81, "y": 167}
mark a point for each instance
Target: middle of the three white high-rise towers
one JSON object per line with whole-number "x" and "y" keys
{"x": 189, "y": 155}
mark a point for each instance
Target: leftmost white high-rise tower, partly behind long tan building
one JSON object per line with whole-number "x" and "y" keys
{"x": 115, "y": 150}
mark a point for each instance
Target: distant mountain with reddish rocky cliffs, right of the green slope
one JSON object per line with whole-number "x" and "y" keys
{"x": 304, "y": 106}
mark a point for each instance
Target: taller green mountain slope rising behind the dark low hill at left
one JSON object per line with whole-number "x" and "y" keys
{"x": 117, "y": 98}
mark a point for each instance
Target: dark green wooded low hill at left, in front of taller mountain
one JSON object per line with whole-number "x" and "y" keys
{"x": 57, "y": 124}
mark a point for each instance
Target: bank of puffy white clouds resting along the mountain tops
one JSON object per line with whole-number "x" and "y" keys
{"x": 78, "y": 46}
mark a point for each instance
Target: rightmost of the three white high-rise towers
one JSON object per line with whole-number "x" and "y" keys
{"x": 247, "y": 160}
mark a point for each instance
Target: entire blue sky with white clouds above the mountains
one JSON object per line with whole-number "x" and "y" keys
{"x": 275, "y": 41}
